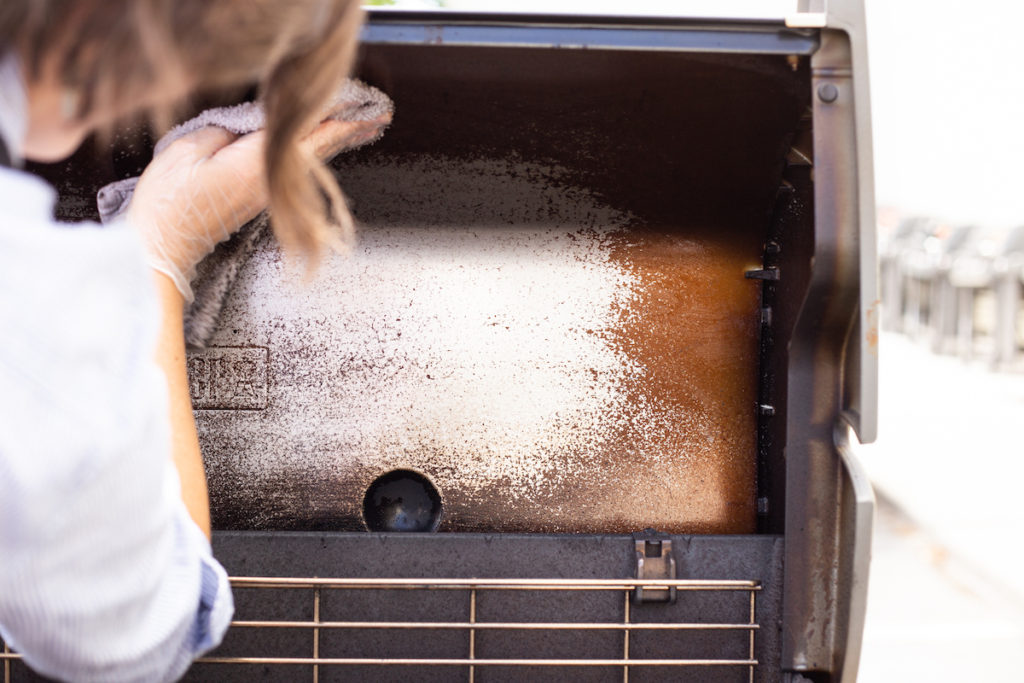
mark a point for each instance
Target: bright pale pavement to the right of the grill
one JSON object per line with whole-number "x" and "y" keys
{"x": 947, "y": 596}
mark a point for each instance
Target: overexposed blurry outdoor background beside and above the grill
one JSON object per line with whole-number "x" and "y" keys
{"x": 947, "y": 595}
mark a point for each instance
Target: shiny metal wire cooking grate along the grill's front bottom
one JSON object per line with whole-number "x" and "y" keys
{"x": 741, "y": 632}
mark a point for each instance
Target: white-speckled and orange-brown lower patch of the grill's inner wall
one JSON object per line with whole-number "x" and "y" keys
{"x": 549, "y": 362}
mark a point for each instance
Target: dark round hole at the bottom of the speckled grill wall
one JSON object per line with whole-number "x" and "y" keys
{"x": 402, "y": 501}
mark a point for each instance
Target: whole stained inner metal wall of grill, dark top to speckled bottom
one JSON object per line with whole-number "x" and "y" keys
{"x": 547, "y": 314}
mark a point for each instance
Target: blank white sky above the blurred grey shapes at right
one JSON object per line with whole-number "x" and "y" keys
{"x": 948, "y": 89}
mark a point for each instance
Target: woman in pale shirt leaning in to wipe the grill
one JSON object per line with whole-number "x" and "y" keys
{"x": 106, "y": 569}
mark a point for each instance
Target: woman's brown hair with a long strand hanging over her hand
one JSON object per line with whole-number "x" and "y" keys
{"x": 113, "y": 54}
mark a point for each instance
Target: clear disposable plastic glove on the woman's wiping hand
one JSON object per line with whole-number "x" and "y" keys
{"x": 207, "y": 185}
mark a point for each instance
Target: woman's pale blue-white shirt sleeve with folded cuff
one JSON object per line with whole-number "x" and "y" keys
{"x": 104, "y": 576}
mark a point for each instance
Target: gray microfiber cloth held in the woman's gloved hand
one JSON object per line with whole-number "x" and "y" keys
{"x": 217, "y": 274}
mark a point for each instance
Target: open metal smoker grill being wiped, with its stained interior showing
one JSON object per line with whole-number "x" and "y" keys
{"x": 714, "y": 188}
